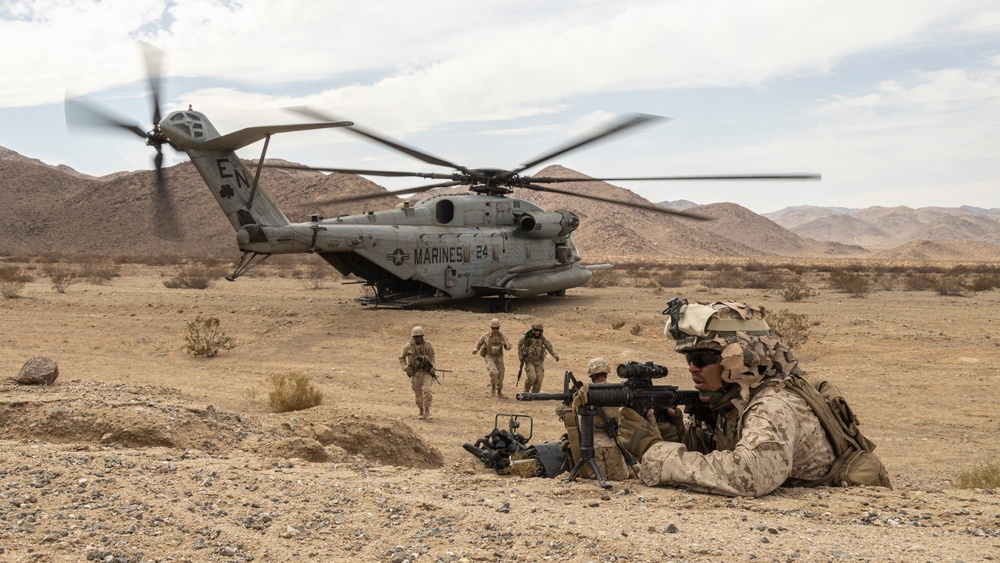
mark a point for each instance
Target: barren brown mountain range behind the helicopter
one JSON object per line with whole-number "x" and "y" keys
{"x": 55, "y": 209}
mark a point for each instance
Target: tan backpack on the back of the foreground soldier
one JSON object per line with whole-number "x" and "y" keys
{"x": 856, "y": 463}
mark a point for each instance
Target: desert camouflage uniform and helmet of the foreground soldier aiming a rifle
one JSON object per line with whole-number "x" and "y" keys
{"x": 763, "y": 436}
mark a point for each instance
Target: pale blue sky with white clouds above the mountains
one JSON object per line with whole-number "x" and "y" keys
{"x": 895, "y": 103}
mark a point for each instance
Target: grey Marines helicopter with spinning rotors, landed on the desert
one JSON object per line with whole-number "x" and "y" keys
{"x": 446, "y": 247}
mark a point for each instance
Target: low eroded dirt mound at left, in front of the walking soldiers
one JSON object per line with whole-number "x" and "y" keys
{"x": 142, "y": 416}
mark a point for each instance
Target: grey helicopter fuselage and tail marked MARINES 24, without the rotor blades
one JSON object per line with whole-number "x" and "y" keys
{"x": 443, "y": 248}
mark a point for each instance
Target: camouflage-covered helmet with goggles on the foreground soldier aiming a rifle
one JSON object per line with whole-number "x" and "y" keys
{"x": 750, "y": 350}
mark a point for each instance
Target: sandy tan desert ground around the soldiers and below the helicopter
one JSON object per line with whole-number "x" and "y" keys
{"x": 141, "y": 452}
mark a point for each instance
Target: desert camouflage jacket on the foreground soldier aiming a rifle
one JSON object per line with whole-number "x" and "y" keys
{"x": 779, "y": 442}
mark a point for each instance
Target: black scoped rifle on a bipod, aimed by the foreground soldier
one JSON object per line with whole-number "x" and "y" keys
{"x": 637, "y": 393}
